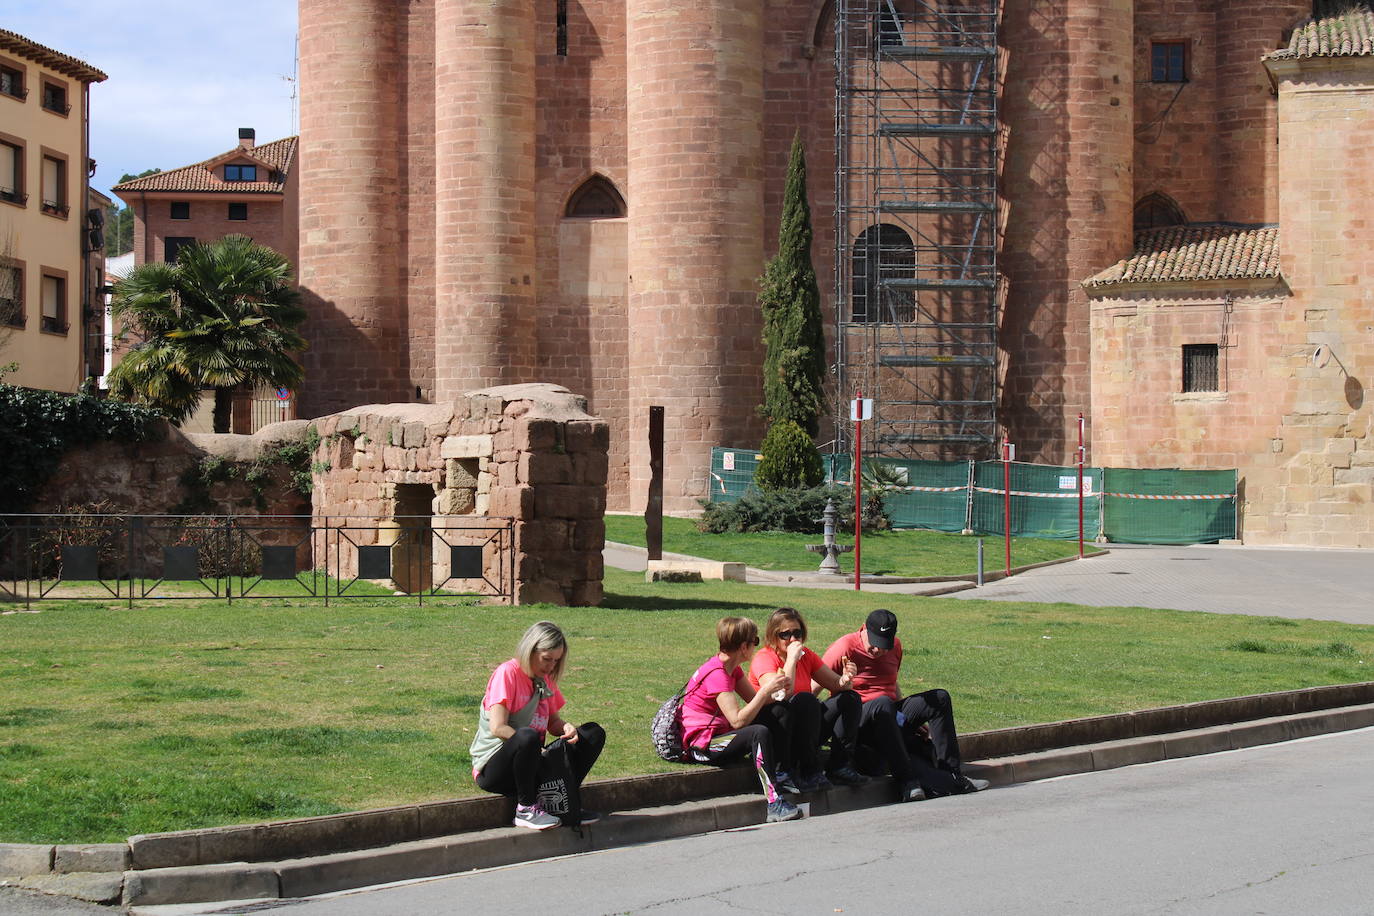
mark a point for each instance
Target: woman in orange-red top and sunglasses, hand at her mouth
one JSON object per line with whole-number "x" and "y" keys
{"x": 811, "y": 722}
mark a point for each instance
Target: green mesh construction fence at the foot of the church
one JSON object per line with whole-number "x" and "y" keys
{"x": 1163, "y": 506}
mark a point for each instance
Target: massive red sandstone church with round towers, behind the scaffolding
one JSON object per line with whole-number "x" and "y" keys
{"x": 585, "y": 193}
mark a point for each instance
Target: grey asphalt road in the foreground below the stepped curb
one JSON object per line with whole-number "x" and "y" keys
{"x": 1281, "y": 829}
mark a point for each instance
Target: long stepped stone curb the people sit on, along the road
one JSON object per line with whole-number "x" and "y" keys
{"x": 315, "y": 855}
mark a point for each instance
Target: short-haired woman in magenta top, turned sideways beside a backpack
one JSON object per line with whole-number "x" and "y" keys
{"x": 726, "y": 720}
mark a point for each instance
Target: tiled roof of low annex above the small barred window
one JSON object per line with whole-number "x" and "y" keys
{"x": 1197, "y": 252}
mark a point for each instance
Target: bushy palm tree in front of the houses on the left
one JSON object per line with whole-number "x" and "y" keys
{"x": 222, "y": 317}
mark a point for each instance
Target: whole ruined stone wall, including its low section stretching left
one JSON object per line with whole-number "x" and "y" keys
{"x": 530, "y": 454}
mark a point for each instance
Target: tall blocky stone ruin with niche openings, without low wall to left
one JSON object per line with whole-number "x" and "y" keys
{"x": 424, "y": 479}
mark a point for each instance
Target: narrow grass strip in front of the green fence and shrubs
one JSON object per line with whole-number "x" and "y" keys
{"x": 909, "y": 553}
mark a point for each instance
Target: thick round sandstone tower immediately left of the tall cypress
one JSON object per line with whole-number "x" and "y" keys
{"x": 696, "y": 248}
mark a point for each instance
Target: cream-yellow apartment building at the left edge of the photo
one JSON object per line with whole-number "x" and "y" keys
{"x": 50, "y": 240}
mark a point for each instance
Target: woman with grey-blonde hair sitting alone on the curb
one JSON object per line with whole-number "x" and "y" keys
{"x": 520, "y": 708}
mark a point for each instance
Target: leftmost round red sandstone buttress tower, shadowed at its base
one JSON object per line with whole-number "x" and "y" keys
{"x": 350, "y": 186}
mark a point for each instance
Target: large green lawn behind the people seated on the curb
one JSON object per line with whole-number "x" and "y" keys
{"x": 119, "y": 722}
